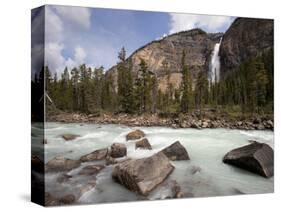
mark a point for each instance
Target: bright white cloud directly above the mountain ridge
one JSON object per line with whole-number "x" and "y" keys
{"x": 209, "y": 23}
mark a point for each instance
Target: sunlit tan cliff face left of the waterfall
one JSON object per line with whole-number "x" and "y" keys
{"x": 197, "y": 44}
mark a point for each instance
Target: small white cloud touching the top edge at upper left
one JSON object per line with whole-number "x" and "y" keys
{"x": 79, "y": 16}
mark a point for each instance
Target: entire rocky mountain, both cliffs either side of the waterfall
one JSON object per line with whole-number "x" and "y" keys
{"x": 245, "y": 38}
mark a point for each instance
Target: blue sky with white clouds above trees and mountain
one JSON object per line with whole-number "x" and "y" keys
{"x": 94, "y": 36}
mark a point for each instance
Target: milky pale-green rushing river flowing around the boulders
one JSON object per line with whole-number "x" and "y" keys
{"x": 204, "y": 175}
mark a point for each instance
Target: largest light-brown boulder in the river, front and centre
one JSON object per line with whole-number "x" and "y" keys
{"x": 143, "y": 175}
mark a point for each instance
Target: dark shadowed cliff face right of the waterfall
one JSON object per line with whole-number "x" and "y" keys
{"x": 245, "y": 38}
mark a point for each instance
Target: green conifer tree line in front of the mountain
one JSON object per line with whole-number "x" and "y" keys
{"x": 87, "y": 90}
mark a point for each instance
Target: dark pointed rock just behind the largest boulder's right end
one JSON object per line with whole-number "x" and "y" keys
{"x": 176, "y": 152}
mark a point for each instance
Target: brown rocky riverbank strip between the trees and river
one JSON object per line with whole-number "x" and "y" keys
{"x": 207, "y": 120}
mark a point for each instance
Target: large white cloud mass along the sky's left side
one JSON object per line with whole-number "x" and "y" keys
{"x": 59, "y": 23}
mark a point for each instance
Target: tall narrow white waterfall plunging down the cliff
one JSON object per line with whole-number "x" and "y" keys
{"x": 214, "y": 68}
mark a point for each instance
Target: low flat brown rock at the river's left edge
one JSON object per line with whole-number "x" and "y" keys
{"x": 61, "y": 164}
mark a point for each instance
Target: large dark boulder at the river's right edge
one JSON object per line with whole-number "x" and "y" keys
{"x": 256, "y": 157}
